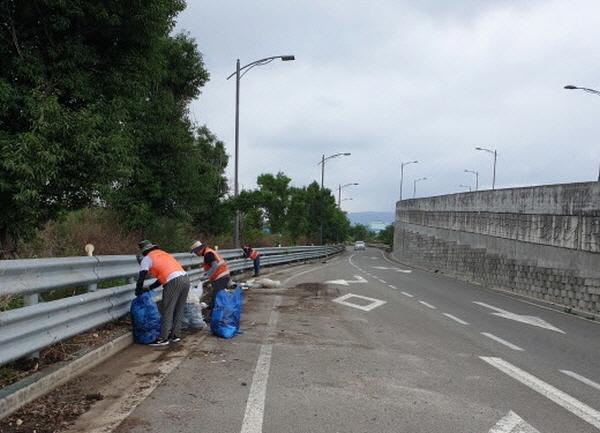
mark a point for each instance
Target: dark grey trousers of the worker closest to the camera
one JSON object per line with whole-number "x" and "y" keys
{"x": 174, "y": 297}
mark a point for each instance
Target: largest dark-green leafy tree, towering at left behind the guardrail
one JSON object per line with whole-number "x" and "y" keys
{"x": 80, "y": 84}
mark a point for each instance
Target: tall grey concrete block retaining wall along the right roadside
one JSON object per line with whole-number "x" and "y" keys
{"x": 541, "y": 242}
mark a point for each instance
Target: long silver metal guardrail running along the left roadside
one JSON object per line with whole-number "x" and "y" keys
{"x": 34, "y": 327}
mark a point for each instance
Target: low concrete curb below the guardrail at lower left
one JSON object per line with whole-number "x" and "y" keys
{"x": 25, "y": 391}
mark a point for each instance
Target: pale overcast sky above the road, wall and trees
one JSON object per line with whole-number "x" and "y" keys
{"x": 397, "y": 80}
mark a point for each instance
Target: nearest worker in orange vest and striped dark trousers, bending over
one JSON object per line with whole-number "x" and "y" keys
{"x": 176, "y": 285}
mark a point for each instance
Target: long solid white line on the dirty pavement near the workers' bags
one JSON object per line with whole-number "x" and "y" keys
{"x": 255, "y": 406}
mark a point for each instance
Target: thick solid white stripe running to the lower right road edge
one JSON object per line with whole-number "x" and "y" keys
{"x": 576, "y": 407}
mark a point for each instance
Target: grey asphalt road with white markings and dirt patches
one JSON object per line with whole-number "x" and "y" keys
{"x": 424, "y": 353}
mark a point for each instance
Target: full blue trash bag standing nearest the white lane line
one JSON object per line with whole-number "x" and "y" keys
{"x": 225, "y": 317}
